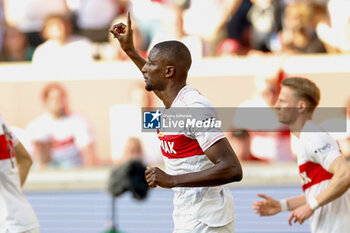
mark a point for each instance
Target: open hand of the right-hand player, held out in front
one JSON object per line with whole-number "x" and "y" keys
{"x": 266, "y": 207}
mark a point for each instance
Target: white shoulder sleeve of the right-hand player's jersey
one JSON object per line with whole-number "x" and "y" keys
{"x": 322, "y": 148}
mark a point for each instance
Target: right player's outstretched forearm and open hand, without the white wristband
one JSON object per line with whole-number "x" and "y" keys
{"x": 270, "y": 206}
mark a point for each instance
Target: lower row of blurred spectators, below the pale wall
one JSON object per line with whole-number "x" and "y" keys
{"x": 63, "y": 138}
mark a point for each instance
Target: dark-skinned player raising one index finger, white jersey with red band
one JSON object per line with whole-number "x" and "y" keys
{"x": 197, "y": 163}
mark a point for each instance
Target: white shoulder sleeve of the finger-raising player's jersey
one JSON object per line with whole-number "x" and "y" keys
{"x": 206, "y": 136}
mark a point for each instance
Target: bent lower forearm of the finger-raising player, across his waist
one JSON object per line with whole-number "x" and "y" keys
{"x": 217, "y": 175}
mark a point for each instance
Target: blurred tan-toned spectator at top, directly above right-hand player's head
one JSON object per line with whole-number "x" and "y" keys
{"x": 298, "y": 34}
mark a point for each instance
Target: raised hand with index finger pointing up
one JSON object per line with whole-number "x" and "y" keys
{"x": 124, "y": 34}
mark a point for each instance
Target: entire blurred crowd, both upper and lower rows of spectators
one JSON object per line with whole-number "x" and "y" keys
{"x": 66, "y": 31}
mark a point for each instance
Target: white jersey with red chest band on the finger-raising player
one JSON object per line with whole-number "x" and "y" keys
{"x": 183, "y": 153}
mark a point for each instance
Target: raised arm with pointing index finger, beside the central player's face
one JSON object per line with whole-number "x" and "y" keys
{"x": 124, "y": 35}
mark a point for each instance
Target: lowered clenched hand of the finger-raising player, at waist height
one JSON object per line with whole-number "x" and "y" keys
{"x": 156, "y": 177}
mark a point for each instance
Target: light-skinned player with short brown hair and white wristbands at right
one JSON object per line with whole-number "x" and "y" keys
{"x": 324, "y": 172}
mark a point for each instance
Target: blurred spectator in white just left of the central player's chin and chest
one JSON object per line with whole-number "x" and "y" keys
{"x": 126, "y": 122}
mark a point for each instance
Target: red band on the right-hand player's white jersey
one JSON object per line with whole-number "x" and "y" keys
{"x": 313, "y": 173}
